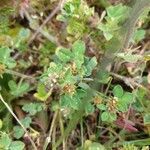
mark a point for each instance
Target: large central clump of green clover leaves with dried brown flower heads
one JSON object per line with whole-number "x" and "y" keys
{"x": 68, "y": 71}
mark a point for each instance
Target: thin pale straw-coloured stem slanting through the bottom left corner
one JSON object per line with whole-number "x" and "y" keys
{"x": 19, "y": 122}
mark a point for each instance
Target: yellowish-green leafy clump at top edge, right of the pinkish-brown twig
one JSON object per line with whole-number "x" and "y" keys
{"x": 76, "y": 14}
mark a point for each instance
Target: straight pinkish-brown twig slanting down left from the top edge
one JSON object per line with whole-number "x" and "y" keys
{"x": 52, "y": 14}
